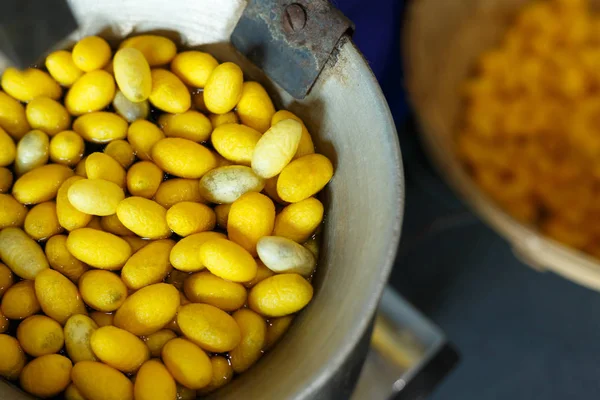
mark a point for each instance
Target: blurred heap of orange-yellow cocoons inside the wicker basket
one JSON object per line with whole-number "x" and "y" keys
{"x": 530, "y": 128}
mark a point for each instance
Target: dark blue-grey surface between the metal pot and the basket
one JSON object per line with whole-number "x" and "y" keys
{"x": 521, "y": 334}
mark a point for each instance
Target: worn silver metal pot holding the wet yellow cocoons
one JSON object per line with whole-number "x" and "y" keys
{"x": 351, "y": 124}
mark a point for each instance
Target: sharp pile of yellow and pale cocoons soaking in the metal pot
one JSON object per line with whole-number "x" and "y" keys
{"x": 159, "y": 222}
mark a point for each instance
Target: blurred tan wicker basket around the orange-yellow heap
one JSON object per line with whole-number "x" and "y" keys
{"x": 442, "y": 41}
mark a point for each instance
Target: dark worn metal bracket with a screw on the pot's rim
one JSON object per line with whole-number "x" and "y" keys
{"x": 290, "y": 40}
